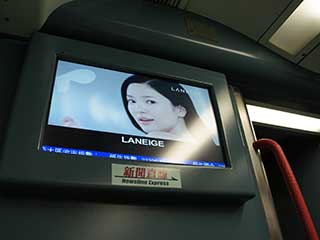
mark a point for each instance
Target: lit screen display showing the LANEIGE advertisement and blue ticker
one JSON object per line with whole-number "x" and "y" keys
{"x": 113, "y": 114}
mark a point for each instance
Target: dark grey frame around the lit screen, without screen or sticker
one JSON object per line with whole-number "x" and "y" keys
{"x": 29, "y": 165}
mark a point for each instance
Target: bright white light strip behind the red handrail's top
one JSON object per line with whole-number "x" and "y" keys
{"x": 283, "y": 119}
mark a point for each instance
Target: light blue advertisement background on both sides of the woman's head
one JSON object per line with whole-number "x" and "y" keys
{"x": 91, "y": 98}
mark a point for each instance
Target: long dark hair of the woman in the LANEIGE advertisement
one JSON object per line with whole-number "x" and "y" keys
{"x": 172, "y": 91}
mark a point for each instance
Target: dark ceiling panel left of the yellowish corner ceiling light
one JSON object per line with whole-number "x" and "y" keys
{"x": 250, "y": 17}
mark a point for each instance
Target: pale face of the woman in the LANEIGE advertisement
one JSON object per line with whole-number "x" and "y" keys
{"x": 151, "y": 110}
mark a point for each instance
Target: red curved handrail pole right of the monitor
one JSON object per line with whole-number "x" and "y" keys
{"x": 292, "y": 184}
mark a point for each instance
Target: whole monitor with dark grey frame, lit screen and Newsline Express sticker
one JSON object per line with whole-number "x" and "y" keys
{"x": 93, "y": 117}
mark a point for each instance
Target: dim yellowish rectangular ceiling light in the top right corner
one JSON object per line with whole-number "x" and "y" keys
{"x": 302, "y": 26}
